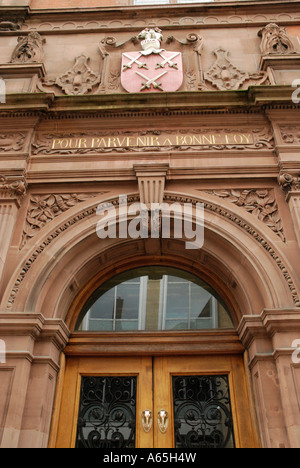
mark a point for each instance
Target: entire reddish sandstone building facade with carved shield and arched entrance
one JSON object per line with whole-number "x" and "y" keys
{"x": 209, "y": 113}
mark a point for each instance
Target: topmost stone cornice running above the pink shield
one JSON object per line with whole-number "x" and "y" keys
{"x": 182, "y": 17}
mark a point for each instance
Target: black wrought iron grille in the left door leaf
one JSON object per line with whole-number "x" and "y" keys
{"x": 107, "y": 412}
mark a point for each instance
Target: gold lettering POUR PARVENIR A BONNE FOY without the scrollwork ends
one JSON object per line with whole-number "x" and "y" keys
{"x": 152, "y": 140}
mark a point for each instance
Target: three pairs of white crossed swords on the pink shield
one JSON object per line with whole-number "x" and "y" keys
{"x": 151, "y": 81}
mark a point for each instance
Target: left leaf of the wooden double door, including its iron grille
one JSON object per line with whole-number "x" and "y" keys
{"x": 85, "y": 399}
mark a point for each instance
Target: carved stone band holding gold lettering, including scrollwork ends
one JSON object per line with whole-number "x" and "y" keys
{"x": 195, "y": 139}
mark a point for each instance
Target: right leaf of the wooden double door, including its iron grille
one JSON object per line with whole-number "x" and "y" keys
{"x": 206, "y": 418}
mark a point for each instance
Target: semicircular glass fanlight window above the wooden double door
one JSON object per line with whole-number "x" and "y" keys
{"x": 154, "y": 298}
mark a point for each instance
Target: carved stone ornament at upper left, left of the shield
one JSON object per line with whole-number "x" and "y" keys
{"x": 29, "y": 49}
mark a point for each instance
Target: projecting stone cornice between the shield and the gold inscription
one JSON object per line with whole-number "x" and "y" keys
{"x": 256, "y": 97}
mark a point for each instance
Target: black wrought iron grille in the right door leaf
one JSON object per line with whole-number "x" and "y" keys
{"x": 202, "y": 412}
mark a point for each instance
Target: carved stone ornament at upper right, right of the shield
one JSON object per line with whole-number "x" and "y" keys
{"x": 275, "y": 40}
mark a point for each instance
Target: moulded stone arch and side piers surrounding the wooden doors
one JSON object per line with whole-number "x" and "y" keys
{"x": 53, "y": 281}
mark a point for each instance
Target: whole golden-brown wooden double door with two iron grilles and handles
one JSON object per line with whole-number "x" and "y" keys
{"x": 161, "y": 402}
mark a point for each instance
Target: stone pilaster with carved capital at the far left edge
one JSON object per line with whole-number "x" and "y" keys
{"x": 12, "y": 190}
